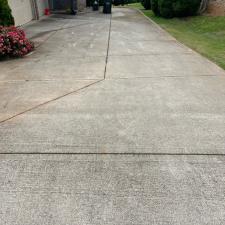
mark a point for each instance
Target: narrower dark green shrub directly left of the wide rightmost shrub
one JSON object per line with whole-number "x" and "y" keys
{"x": 166, "y": 8}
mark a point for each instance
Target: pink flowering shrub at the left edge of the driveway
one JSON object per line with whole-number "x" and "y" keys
{"x": 13, "y": 42}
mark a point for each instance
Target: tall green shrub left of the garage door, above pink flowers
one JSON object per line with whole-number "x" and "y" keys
{"x": 6, "y": 18}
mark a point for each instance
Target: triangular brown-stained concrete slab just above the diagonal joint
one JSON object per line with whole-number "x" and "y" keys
{"x": 19, "y": 96}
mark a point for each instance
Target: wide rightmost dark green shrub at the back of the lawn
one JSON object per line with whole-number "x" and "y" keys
{"x": 186, "y": 7}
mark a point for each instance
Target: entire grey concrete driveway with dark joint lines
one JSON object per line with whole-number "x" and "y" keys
{"x": 111, "y": 121}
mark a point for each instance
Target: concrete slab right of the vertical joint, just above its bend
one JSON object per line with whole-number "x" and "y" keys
{"x": 160, "y": 65}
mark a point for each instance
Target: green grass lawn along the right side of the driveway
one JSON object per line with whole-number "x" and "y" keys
{"x": 204, "y": 34}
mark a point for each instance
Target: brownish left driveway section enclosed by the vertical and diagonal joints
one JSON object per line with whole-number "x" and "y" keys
{"x": 70, "y": 54}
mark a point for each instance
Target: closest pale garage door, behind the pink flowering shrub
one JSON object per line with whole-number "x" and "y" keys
{"x": 21, "y": 10}
